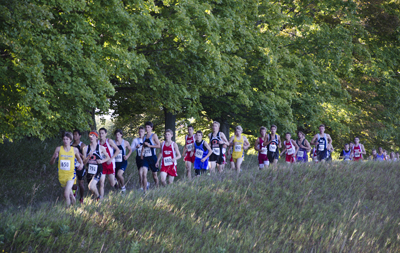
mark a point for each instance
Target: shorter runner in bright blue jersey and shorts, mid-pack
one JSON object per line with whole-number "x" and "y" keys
{"x": 202, "y": 152}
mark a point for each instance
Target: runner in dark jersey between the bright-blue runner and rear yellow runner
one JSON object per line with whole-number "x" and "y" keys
{"x": 217, "y": 139}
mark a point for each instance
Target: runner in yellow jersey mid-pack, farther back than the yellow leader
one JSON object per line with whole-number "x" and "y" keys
{"x": 239, "y": 143}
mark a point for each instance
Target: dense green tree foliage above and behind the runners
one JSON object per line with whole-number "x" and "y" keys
{"x": 295, "y": 64}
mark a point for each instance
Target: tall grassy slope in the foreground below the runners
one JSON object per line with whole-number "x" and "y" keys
{"x": 335, "y": 207}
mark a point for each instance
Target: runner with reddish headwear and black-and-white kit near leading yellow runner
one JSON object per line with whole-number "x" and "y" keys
{"x": 95, "y": 157}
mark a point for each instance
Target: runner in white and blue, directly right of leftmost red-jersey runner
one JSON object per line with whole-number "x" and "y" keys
{"x": 121, "y": 160}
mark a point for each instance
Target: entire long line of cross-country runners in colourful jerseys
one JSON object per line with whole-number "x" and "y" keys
{"x": 104, "y": 156}
